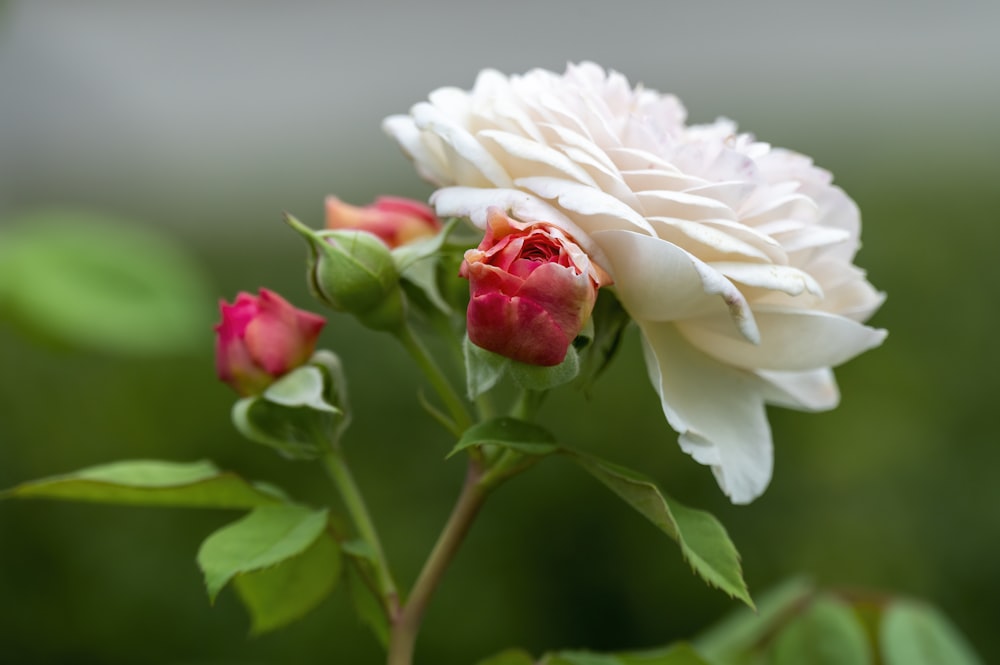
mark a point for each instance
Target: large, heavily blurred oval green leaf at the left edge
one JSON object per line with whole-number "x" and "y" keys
{"x": 103, "y": 283}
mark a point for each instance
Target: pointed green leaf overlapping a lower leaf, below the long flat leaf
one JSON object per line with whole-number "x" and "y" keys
{"x": 265, "y": 537}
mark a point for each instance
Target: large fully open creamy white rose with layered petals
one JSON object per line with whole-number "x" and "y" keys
{"x": 734, "y": 258}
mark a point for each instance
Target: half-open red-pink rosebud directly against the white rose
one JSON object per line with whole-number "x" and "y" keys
{"x": 532, "y": 288}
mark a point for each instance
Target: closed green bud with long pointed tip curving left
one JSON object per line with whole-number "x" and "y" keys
{"x": 354, "y": 272}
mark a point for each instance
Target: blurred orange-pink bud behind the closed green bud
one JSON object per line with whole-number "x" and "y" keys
{"x": 396, "y": 221}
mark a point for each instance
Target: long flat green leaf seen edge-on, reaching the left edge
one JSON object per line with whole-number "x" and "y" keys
{"x": 151, "y": 483}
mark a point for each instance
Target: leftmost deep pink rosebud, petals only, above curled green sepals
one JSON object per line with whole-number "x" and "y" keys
{"x": 261, "y": 338}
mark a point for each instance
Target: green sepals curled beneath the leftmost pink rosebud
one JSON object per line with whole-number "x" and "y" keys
{"x": 294, "y": 415}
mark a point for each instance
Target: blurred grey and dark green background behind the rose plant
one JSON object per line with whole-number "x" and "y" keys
{"x": 203, "y": 121}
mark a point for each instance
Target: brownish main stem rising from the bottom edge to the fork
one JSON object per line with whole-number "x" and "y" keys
{"x": 403, "y": 635}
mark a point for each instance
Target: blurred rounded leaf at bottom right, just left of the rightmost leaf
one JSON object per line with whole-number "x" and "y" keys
{"x": 827, "y": 633}
